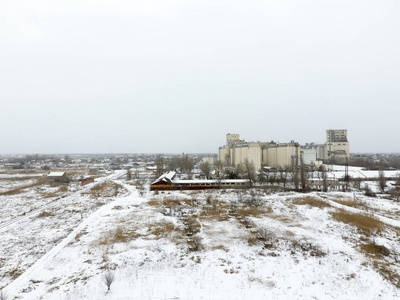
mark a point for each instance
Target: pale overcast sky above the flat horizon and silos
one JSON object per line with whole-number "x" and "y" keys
{"x": 175, "y": 76}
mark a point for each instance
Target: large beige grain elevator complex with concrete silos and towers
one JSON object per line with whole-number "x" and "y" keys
{"x": 336, "y": 149}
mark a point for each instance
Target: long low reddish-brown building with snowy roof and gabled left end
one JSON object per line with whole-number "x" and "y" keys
{"x": 167, "y": 182}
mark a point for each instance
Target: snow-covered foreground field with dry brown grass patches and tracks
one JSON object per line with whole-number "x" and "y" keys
{"x": 222, "y": 244}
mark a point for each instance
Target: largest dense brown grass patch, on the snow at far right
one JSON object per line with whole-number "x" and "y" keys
{"x": 365, "y": 223}
